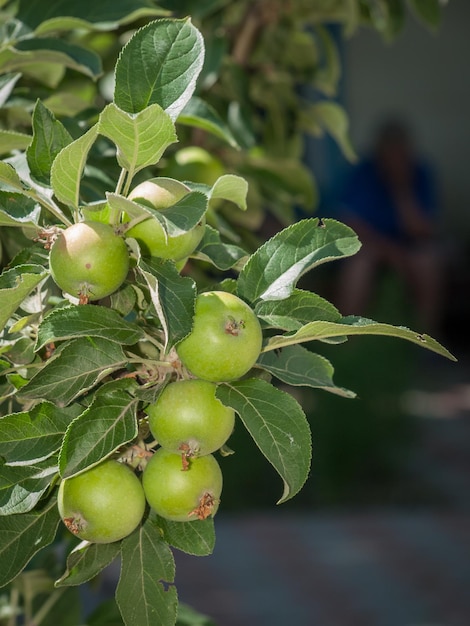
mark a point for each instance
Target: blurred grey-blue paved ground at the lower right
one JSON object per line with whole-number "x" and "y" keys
{"x": 381, "y": 568}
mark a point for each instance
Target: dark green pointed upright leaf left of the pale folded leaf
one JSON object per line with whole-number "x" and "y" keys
{"x": 49, "y": 138}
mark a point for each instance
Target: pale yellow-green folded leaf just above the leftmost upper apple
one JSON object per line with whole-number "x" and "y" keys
{"x": 68, "y": 167}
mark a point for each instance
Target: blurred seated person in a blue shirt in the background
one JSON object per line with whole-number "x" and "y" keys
{"x": 390, "y": 201}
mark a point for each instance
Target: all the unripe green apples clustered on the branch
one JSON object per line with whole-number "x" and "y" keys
{"x": 182, "y": 481}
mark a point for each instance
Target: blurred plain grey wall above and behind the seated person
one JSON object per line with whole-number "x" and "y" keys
{"x": 425, "y": 78}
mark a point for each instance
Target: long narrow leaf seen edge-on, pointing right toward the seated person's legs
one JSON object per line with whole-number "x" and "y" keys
{"x": 320, "y": 330}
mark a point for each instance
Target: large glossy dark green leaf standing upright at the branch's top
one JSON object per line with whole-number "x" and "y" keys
{"x": 160, "y": 64}
